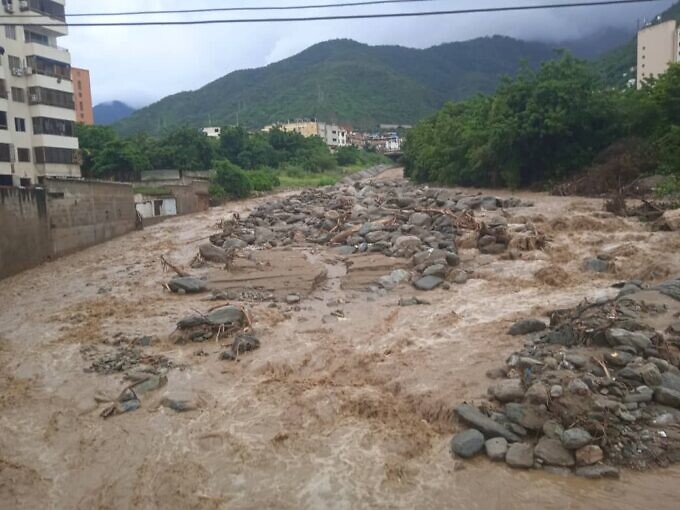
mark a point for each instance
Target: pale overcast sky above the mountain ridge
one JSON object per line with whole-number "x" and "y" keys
{"x": 140, "y": 65}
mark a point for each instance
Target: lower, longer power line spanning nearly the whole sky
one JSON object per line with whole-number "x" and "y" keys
{"x": 337, "y": 17}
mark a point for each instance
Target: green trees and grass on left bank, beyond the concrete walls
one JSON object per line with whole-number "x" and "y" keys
{"x": 242, "y": 161}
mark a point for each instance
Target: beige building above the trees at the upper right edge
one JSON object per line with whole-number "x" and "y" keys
{"x": 657, "y": 48}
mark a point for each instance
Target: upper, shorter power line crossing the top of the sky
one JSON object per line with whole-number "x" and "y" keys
{"x": 241, "y": 8}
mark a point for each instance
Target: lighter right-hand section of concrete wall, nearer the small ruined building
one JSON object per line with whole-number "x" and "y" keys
{"x": 85, "y": 213}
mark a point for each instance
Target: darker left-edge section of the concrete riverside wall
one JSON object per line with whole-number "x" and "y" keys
{"x": 24, "y": 234}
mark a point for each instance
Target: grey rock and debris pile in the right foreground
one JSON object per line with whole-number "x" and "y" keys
{"x": 596, "y": 389}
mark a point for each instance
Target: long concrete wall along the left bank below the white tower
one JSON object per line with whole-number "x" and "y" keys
{"x": 63, "y": 217}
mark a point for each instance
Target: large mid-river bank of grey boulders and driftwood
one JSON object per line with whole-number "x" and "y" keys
{"x": 394, "y": 218}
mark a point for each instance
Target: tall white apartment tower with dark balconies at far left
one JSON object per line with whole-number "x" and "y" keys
{"x": 37, "y": 110}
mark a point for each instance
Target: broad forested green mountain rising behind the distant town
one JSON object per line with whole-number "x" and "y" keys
{"x": 345, "y": 81}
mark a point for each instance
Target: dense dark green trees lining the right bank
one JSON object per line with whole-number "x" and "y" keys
{"x": 543, "y": 126}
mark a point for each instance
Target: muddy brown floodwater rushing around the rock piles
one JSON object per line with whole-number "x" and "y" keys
{"x": 351, "y": 409}
